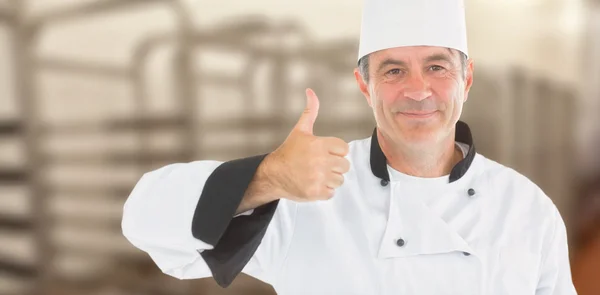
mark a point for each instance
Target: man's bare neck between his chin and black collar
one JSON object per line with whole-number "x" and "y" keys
{"x": 434, "y": 161}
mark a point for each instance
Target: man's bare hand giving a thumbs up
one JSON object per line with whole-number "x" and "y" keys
{"x": 310, "y": 167}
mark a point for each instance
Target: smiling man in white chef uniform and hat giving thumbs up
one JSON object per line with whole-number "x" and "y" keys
{"x": 410, "y": 209}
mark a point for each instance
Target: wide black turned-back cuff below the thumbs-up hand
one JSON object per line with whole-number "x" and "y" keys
{"x": 235, "y": 240}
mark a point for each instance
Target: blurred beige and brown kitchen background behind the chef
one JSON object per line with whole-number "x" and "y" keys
{"x": 95, "y": 93}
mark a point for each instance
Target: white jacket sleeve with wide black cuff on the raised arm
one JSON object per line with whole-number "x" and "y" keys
{"x": 182, "y": 216}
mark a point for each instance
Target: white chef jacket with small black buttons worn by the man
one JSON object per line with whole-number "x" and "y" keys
{"x": 488, "y": 231}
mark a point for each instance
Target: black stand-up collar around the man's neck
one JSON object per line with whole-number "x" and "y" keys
{"x": 463, "y": 135}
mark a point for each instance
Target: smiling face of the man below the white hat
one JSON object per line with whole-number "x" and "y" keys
{"x": 416, "y": 93}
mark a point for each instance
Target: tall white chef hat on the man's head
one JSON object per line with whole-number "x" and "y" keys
{"x": 396, "y": 23}
